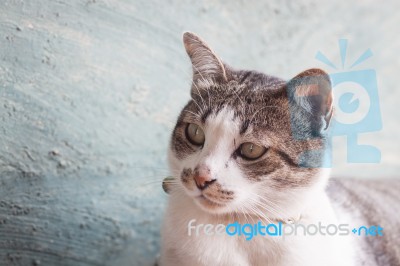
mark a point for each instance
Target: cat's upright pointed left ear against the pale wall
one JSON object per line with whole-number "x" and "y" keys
{"x": 206, "y": 64}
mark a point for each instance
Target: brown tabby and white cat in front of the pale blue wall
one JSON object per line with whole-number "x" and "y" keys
{"x": 249, "y": 147}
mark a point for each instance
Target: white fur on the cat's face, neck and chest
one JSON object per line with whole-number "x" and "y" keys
{"x": 178, "y": 248}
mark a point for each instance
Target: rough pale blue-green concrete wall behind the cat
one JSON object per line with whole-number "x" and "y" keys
{"x": 89, "y": 91}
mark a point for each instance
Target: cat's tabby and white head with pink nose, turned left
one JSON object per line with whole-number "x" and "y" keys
{"x": 248, "y": 142}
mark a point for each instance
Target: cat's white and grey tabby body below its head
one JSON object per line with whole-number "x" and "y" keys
{"x": 368, "y": 202}
